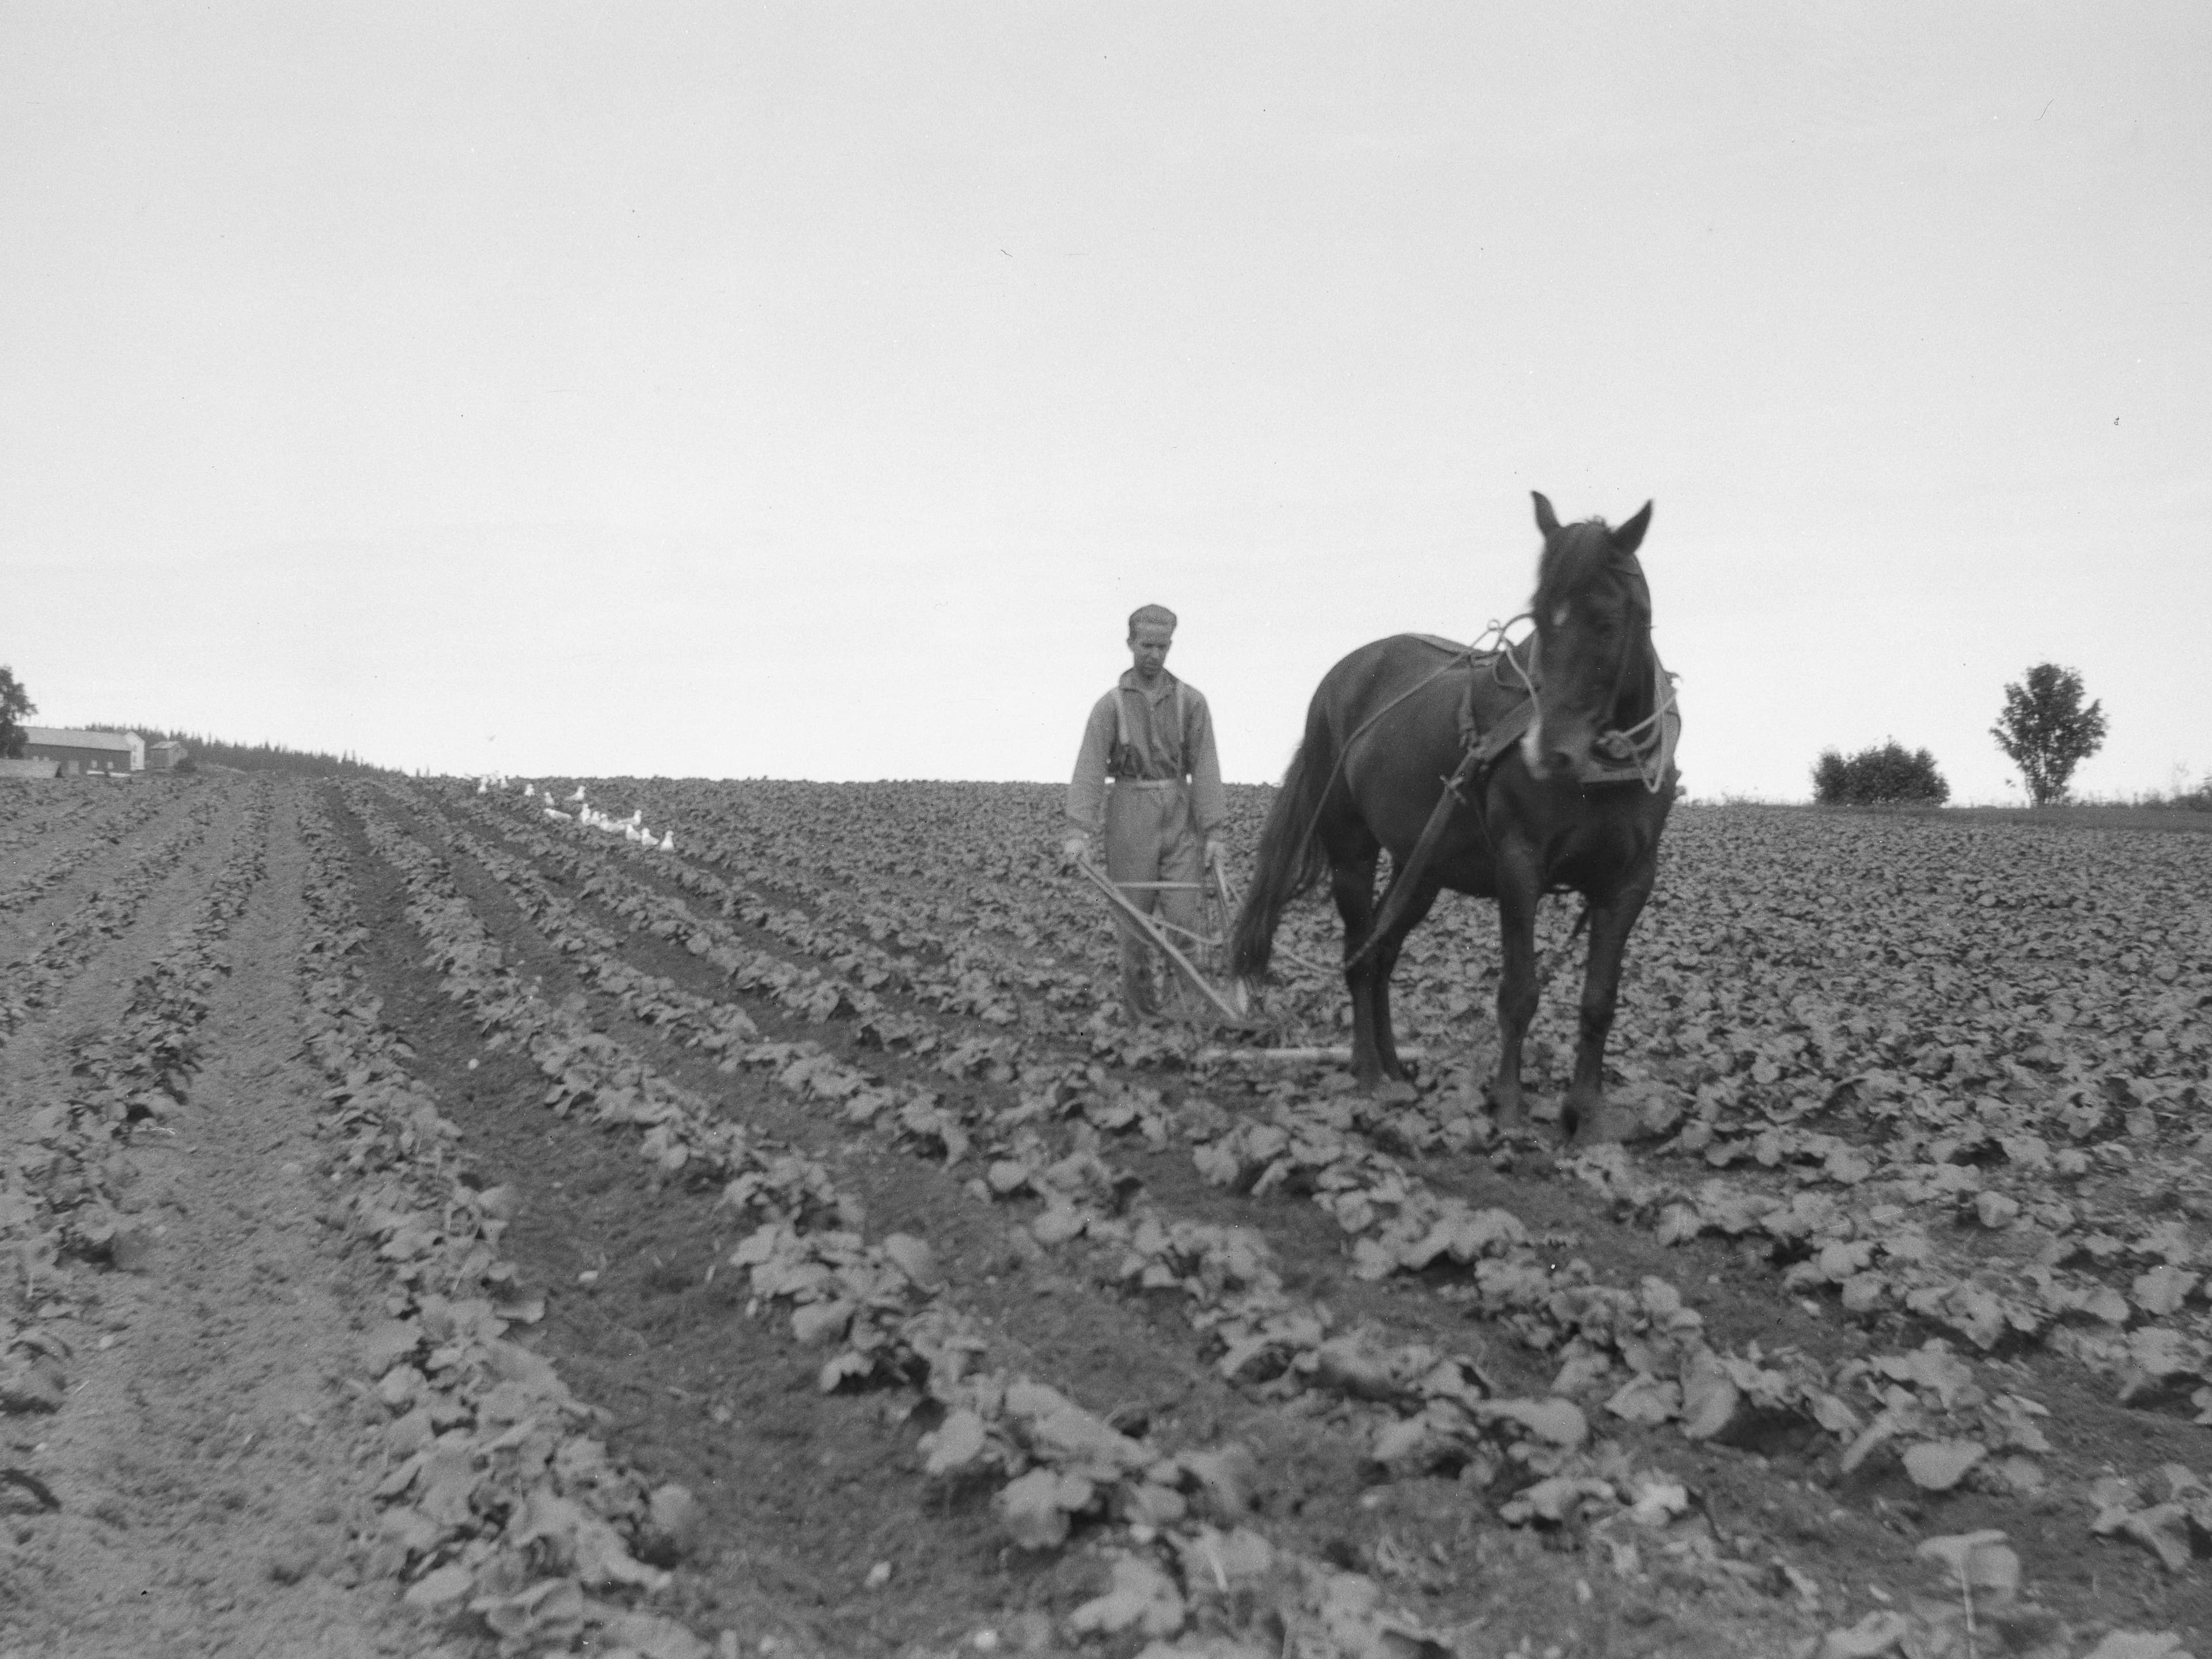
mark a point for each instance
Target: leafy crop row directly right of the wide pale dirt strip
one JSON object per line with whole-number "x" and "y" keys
{"x": 497, "y": 1496}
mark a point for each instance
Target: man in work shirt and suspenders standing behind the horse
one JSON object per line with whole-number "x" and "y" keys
{"x": 1154, "y": 738}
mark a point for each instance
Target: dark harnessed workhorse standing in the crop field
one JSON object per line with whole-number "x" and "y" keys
{"x": 1419, "y": 755}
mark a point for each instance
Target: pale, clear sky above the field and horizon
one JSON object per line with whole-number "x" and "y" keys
{"x": 811, "y": 390}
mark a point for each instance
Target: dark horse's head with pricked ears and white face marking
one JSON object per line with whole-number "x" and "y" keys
{"x": 1594, "y": 618}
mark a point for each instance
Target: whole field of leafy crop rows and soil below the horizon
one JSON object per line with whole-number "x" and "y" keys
{"x": 441, "y": 1227}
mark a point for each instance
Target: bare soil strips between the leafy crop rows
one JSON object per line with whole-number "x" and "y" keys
{"x": 209, "y": 1479}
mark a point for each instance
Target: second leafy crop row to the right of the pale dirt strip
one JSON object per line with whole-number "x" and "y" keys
{"x": 879, "y": 1311}
